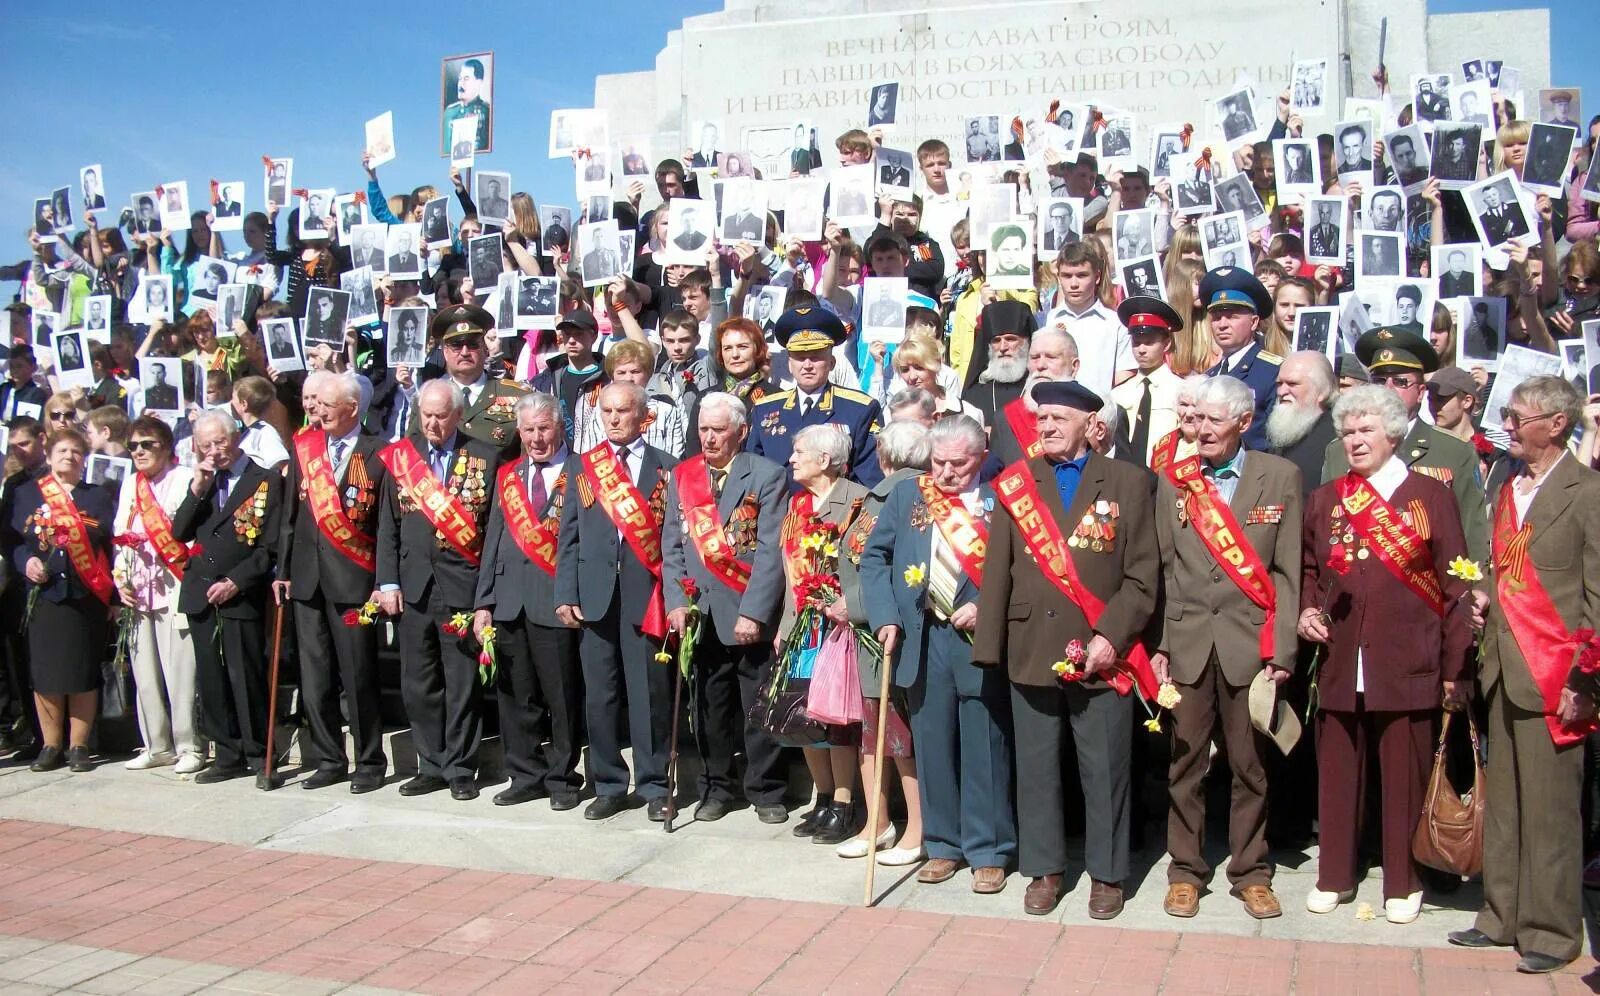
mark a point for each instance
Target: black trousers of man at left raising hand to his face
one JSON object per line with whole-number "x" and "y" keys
{"x": 233, "y": 686}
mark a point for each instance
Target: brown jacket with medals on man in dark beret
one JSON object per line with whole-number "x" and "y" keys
{"x": 1023, "y": 620}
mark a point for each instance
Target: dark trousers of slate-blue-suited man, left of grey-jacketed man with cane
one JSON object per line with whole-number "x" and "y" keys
{"x": 625, "y": 685}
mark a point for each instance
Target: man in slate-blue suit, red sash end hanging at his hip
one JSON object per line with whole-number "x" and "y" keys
{"x": 609, "y": 584}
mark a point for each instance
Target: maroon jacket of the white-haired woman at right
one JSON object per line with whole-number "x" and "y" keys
{"x": 1407, "y": 651}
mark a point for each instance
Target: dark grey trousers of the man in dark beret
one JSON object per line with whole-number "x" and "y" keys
{"x": 1102, "y": 723}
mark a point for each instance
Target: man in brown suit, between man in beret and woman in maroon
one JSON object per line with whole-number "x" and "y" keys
{"x": 1228, "y": 523}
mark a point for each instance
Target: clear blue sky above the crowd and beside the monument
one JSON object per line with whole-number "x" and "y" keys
{"x": 202, "y": 90}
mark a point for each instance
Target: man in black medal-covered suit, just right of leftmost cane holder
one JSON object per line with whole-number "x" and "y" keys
{"x": 434, "y": 505}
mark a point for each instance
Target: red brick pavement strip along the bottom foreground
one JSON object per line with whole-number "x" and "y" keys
{"x": 452, "y": 931}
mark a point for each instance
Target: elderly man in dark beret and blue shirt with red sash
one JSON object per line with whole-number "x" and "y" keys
{"x": 1071, "y": 576}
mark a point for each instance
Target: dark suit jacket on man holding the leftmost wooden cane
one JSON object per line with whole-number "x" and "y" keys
{"x": 305, "y": 556}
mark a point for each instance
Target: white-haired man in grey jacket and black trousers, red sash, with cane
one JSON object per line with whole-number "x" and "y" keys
{"x": 722, "y": 532}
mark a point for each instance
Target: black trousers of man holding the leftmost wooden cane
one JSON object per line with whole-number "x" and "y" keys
{"x": 338, "y": 659}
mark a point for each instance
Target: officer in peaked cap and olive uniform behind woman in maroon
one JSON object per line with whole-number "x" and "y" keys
{"x": 1402, "y": 361}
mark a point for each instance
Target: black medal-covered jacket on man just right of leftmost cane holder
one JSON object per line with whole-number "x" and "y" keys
{"x": 409, "y": 548}
